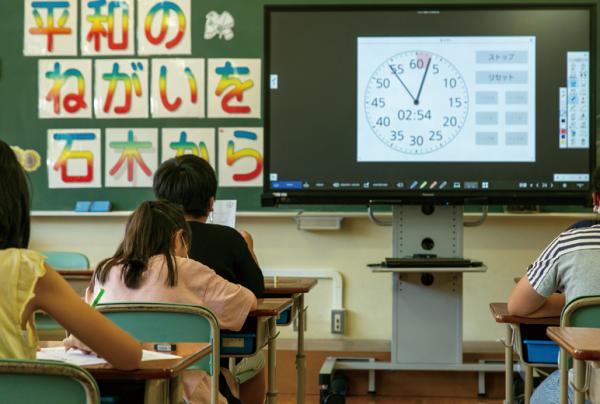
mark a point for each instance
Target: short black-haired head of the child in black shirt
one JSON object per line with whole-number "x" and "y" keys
{"x": 187, "y": 180}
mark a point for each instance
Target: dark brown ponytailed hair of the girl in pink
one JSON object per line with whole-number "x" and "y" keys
{"x": 149, "y": 231}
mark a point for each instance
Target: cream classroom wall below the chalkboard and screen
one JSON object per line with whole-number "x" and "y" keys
{"x": 505, "y": 243}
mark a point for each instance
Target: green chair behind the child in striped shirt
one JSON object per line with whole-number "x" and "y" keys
{"x": 581, "y": 312}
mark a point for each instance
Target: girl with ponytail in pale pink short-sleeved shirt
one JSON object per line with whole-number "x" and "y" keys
{"x": 151, "y": 265}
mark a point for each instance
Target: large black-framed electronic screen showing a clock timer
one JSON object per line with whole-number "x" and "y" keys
{"x": 449, "y": 104}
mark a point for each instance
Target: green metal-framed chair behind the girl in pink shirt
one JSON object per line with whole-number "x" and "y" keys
{"x": 166, "y": 322}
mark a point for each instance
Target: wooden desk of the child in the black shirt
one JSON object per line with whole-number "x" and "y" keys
{"x": 294, "y": 288}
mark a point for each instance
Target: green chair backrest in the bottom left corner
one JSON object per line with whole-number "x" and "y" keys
{"x": 34, "y": 381}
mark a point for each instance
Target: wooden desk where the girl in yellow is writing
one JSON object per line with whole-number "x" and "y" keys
{"x": 163, "y": 377}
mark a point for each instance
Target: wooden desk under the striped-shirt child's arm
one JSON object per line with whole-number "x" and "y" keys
{"x": 513, "y": 323}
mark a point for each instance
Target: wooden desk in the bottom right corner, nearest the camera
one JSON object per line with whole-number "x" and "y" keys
{"x": 583, "y": 344}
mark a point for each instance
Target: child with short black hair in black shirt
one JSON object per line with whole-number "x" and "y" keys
{"x": 191, "y": 182}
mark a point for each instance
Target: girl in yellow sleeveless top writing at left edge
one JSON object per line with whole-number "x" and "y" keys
{"x": 29, "y": 284}
